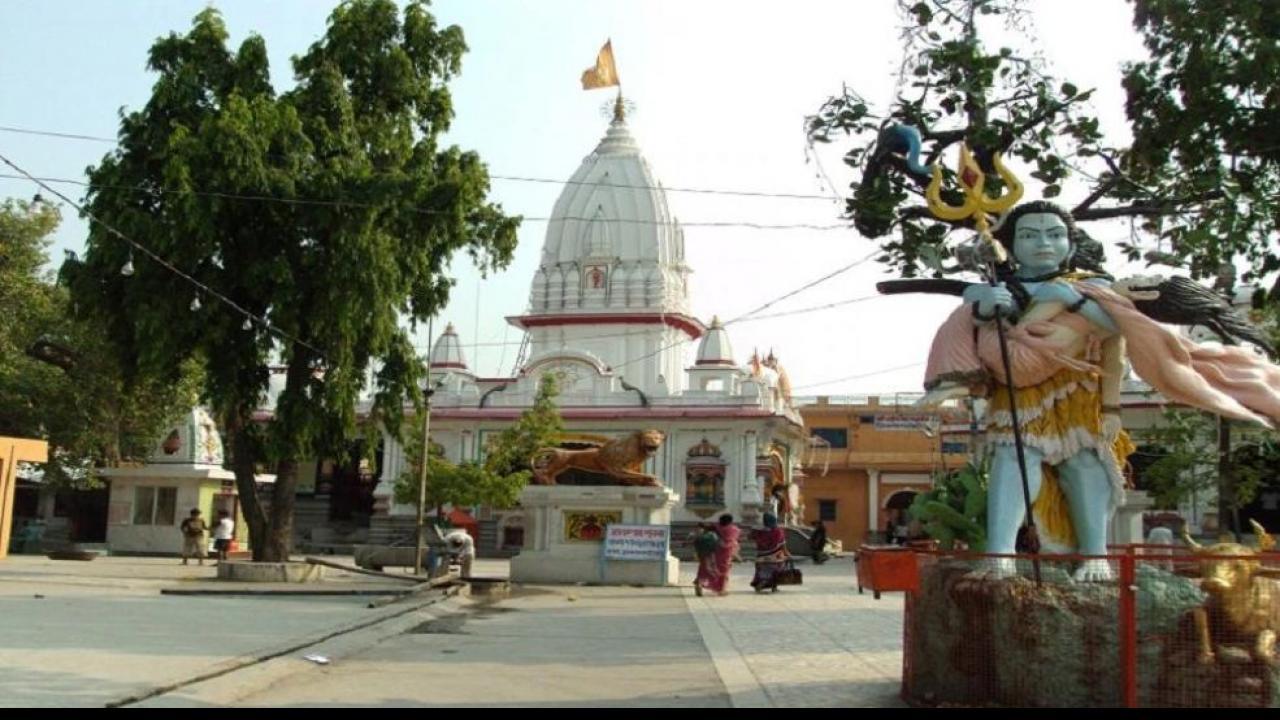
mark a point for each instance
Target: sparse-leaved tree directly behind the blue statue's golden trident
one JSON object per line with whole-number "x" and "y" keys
{"x": 956, "y": 90}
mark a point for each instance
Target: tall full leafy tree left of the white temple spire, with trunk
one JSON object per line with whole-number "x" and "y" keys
{"x": 331, "y": 211}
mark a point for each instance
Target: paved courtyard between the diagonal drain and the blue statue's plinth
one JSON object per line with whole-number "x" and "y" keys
{"x": 810, "y": 646}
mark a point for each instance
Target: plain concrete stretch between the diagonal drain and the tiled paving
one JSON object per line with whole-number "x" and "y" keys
{"x": 564, "y": 646}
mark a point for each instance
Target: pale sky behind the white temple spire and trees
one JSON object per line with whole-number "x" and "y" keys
{"x": 721, "y": 88}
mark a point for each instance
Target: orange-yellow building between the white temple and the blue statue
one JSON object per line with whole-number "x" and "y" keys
{"x": 870, "y": 457}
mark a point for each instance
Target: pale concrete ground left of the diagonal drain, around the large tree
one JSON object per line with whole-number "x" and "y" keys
{"x": 84, "y": 635}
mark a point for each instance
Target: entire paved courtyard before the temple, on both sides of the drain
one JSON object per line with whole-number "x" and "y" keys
{"x": 102, "y": 634}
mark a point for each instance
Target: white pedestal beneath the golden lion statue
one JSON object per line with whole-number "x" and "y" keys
{"x": 565, "y": 535}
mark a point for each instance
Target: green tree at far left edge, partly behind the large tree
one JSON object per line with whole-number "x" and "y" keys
{"x": 60, "y": 379}
